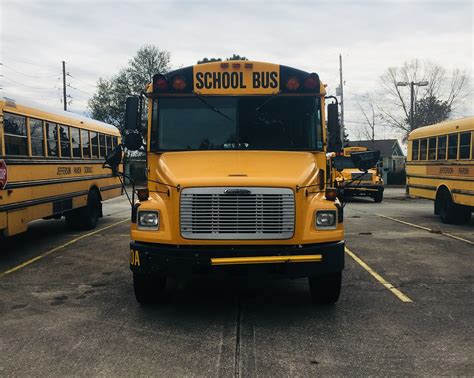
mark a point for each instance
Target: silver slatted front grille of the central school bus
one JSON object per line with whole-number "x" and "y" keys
{"x": 237, "y": 213}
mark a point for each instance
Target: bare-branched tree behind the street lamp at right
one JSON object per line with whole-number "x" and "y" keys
{"x": 448, "y": 88}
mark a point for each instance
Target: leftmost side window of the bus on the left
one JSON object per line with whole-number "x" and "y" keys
{"x": 16, "y": 140}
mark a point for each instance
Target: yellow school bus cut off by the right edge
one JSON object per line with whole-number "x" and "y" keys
{"x": 440, "y": 167}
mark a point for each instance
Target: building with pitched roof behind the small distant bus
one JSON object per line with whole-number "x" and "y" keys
{"x": 391, "y": 155}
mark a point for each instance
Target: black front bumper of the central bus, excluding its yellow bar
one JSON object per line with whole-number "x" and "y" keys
{"x": 170, "y": 259}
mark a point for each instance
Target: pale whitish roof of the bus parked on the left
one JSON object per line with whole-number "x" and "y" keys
{"x": 32, "y": 109}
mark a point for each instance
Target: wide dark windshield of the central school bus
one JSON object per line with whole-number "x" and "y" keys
{"x": 220, "y": 123}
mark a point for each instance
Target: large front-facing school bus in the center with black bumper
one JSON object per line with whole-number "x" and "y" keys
{"x": 237, "y": 178}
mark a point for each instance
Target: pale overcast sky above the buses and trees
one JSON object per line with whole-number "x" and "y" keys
{"x": 97, "y": 38}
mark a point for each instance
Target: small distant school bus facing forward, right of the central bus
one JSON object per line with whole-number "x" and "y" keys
{"x": 353, "y": 182}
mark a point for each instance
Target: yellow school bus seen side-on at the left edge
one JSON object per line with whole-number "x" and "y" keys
{"x": 51, "y": 166}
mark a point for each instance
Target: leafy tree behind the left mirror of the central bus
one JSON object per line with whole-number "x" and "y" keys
{"x": 108, "y": 102}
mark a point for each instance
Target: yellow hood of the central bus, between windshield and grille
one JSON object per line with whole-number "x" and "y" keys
{"x": 234, "y": 168}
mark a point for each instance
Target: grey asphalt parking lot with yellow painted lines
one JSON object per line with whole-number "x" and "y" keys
{"x": 67, "y": 305}
